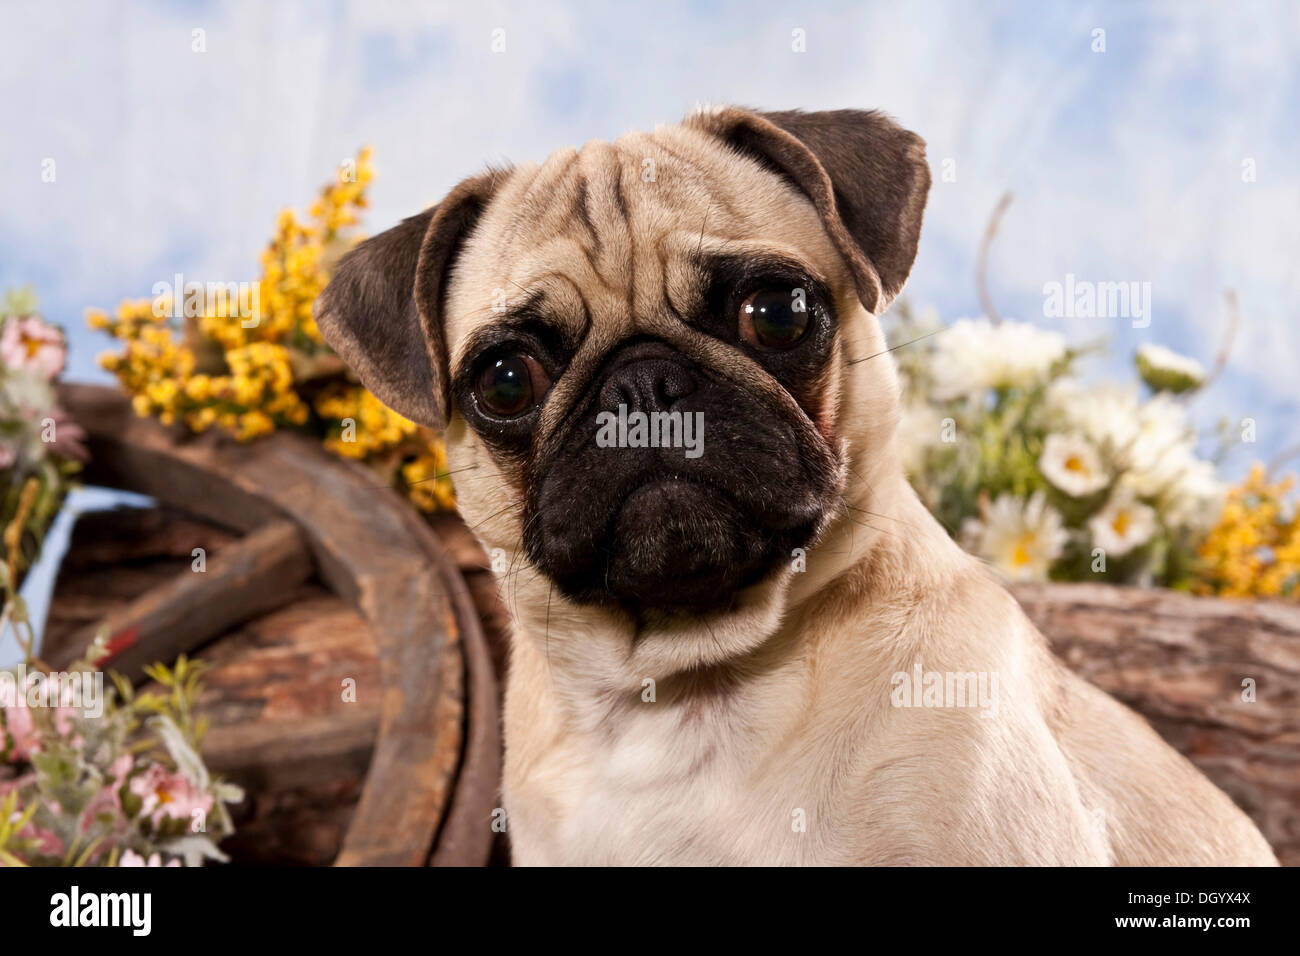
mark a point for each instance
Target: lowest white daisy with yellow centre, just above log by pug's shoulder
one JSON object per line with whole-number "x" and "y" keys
{"x": 1021, "y": 539}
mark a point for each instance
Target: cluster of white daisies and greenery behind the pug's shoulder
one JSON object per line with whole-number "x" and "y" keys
{"x": 1043, "y": 475}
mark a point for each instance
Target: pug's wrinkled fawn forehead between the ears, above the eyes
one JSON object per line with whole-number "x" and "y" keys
{"x": 612, "y": 240}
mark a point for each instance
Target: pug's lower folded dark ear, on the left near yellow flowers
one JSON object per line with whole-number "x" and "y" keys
{"x": 383, "y": 309}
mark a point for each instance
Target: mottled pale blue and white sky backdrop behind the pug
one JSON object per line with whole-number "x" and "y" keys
{"x": 1126, "y": 165}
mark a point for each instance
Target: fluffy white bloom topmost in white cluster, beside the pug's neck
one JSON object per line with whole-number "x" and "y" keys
{"x": 973, "y": 356}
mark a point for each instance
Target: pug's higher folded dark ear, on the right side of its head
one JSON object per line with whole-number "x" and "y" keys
{"x": 866, "y": 176}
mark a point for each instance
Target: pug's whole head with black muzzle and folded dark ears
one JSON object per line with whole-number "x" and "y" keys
{"x": 645, "y": 356}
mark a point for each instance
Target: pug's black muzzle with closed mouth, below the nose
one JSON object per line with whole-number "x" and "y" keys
{"x": 652, "y": 529}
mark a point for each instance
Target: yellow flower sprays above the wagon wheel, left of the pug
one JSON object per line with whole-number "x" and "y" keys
{"x": 214, "y": 371}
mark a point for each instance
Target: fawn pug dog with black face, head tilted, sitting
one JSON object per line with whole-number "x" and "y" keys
{"x": 738, "y": 635}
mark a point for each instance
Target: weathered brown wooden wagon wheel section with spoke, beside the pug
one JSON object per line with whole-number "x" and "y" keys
{"x": 435, "y": 771}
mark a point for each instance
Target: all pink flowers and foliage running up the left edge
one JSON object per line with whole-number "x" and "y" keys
{"x": 86, "y": 777}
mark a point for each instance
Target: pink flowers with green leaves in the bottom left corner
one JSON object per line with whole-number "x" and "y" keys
{"x": 107, "y": 778}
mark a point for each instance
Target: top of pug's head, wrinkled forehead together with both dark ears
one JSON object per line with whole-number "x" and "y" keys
{"x": 616, "y": 239}
